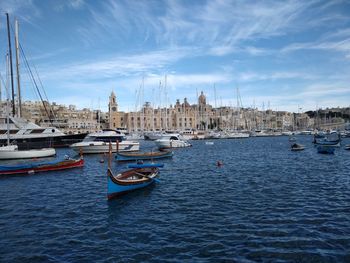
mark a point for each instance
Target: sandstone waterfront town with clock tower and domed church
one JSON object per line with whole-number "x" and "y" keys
{"x": 178, "y": 117}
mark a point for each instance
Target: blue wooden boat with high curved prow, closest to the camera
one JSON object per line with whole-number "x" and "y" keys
{"x": 130, "y": 180}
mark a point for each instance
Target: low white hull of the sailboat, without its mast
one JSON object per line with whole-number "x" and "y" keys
{"x": 12, "y": 152}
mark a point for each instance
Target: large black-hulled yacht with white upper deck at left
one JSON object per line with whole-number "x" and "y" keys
{"x": 27, "y": 135}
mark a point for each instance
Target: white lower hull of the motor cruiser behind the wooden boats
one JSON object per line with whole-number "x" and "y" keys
{"x": 103, "y": 147}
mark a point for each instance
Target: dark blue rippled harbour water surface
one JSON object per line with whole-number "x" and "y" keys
{"x": 265, "y": 203}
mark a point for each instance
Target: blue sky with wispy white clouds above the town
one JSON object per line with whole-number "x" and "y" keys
{"x": 282, "y": 55}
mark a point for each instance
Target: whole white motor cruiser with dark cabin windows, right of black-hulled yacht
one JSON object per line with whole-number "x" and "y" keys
{"x": 98, "y": 142}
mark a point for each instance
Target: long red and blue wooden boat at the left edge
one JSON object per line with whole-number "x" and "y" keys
{"x": 35, "y": 167}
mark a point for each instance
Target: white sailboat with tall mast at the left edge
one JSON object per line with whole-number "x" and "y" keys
{"x": 11, "y": 151}
